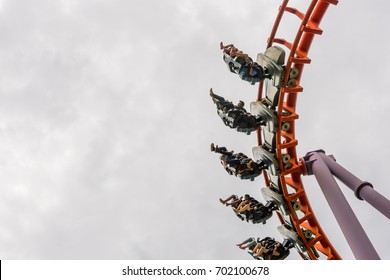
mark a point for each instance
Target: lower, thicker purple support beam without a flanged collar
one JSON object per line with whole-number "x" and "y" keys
{"x": 354, "y": 233}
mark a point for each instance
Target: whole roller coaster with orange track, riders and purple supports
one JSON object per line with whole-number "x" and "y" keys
{"x": 272, "y": 117}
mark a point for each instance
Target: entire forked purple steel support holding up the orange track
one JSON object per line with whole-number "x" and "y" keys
{"x": 324, "y": 167}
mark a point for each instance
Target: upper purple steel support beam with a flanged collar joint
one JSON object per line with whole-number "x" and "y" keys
{"x": 363, "y": 190}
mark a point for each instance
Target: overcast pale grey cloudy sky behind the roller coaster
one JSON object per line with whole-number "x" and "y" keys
{"x": 106, "y": 122}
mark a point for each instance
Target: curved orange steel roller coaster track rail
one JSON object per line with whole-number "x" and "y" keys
{"x": 301, "y": 220}
